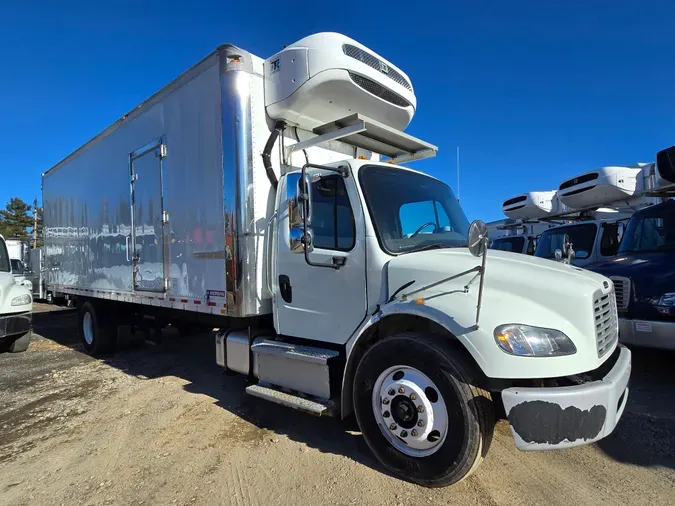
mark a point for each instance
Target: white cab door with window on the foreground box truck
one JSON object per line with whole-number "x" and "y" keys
{"x": 321, "y": 295}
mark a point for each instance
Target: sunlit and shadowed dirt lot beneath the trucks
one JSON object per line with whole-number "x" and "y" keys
{"x": 163, "y": 425}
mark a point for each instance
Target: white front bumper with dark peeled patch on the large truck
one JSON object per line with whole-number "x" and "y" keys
{"x": 563, "y": 417}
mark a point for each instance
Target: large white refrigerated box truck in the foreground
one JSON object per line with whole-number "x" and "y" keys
{"x": 265, "y": 197}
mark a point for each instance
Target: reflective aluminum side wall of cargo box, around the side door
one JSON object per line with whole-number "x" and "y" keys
{"x": 87, "y": 214}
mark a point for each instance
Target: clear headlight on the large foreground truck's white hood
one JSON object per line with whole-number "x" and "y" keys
{"x": 526, "y": 341}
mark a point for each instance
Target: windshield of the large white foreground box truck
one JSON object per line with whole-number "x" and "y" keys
{"x": 411, "y": 211}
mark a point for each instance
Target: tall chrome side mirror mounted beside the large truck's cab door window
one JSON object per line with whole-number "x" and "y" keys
{"x": 299, "y": 212}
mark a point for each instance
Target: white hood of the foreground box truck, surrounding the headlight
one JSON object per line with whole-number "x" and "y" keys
{"x": 517, "y": 289}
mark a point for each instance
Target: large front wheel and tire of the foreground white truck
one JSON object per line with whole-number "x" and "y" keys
{"x": 439, "y": 460}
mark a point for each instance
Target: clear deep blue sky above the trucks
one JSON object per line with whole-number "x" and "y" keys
{"x": 533, "y": 92}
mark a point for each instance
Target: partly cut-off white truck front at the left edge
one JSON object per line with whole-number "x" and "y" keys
{"x": 16, "y": 306}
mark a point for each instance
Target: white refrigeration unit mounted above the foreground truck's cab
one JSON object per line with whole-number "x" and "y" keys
{"x": 327, "y": 76}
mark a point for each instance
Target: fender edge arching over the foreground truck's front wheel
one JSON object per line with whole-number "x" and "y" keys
{"x": 427, "y": 311}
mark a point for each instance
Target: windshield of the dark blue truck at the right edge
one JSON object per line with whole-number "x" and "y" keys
{"x": 650, "y": 230}
